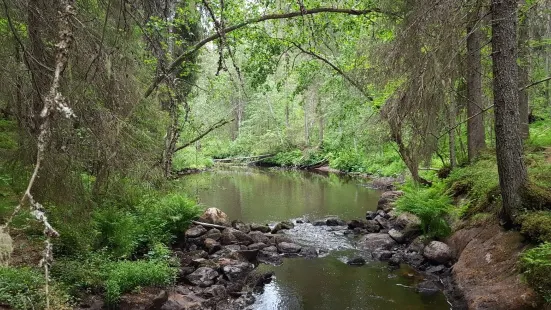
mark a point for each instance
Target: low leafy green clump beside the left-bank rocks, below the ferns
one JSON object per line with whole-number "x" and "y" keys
{"x": 125, "y": 276}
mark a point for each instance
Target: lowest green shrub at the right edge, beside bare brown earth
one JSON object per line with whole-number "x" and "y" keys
{"x": 536, "y": 266}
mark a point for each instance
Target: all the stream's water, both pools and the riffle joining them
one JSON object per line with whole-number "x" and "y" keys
{"x": 268, "y": 196}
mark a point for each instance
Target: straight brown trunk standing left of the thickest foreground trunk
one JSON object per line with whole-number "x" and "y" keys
{"x": 476, "y": 140}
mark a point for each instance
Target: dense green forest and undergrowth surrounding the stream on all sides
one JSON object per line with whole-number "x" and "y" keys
{"x": 106, "y": 104}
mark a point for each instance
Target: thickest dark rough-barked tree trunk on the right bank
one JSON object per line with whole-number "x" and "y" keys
{"x": 511, "y": 168}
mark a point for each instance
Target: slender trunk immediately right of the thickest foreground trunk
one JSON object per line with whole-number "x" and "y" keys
{"x": 523, "y": 74}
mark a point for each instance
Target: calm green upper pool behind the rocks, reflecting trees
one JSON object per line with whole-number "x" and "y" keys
{"x": 271, "y": 195}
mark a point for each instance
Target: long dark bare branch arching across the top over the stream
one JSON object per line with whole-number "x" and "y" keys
{"x": 178, "y": 61}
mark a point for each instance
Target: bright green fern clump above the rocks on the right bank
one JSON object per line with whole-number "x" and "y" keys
{"x": 431, "y": 204}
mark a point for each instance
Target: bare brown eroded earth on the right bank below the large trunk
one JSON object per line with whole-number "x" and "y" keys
{"x": 486, "y": 270}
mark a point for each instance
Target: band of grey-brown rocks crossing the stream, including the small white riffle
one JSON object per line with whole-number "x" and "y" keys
{"x": 219, "y": 258}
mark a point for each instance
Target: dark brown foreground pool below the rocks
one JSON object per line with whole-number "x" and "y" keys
{"x": 328, "y": 283}
